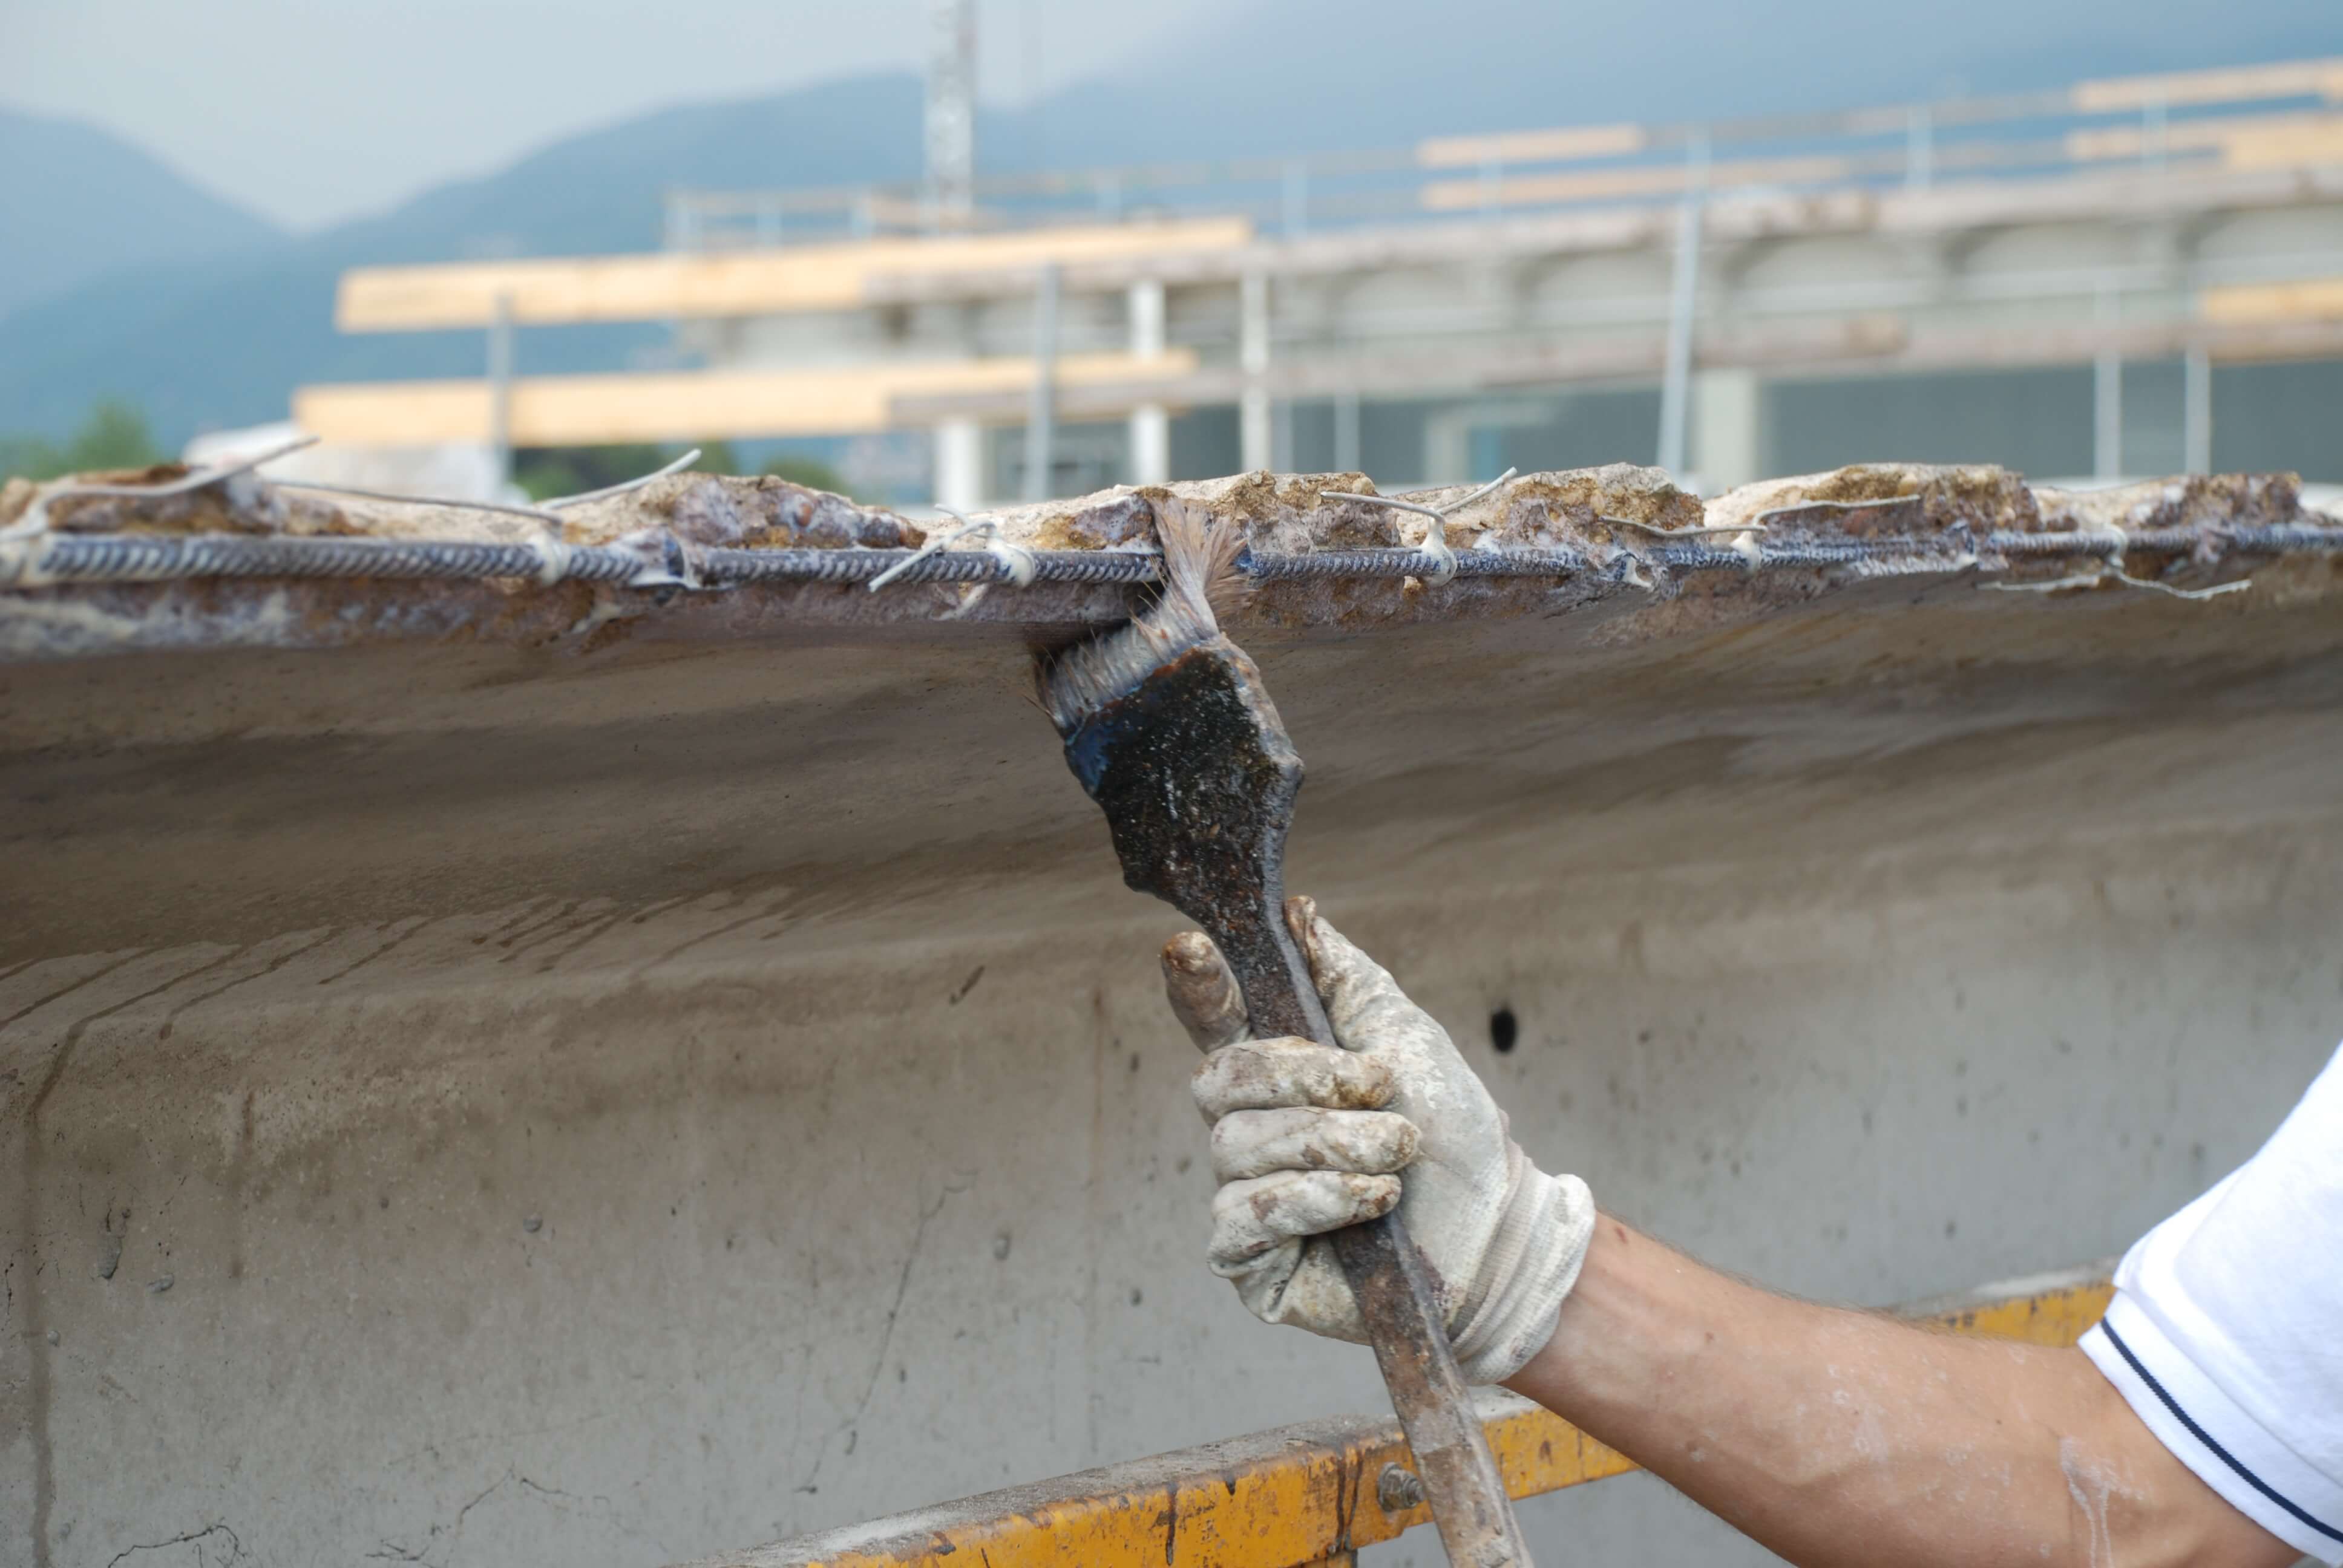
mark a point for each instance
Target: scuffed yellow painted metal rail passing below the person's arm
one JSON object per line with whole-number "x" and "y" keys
{"x": 1304, "y": 1494}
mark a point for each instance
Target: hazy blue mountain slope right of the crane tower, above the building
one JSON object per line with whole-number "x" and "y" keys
{"x": 1302, "y": 76}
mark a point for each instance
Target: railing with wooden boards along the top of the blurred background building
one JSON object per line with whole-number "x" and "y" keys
{"x": 2257, "y": 116}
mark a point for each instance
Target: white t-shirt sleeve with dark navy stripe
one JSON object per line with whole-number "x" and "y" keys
{"x": 2227, "y": 1330}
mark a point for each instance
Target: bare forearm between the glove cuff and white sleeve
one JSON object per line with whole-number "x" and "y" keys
{"x": 1850, "y": 1438}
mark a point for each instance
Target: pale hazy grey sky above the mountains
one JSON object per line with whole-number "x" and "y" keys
{"x": 313, "y": 111}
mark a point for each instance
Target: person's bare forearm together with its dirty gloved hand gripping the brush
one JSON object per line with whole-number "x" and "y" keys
{"x": 1829, "y": 1436}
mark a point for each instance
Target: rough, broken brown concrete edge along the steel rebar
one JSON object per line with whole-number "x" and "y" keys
{"x": 1613, "y": 517}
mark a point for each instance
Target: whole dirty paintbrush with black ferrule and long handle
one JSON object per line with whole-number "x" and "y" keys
{"x": 1173, "y": 732}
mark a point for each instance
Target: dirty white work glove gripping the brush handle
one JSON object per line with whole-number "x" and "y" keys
{"x": 1313, "y": 1138}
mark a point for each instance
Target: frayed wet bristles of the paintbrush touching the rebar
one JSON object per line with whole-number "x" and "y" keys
{"x": 1201, "y": 582}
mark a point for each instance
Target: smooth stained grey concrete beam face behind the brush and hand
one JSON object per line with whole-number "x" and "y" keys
{"x": 474, "y": 1105}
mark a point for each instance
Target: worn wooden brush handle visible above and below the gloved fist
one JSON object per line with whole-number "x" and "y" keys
{"x": 1388, "y": 1276}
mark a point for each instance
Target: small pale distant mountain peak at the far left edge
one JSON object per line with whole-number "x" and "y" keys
{"x": 78, "y": 205}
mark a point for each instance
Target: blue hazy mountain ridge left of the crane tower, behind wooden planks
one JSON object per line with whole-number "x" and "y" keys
{"x": 224, "y": 343}
